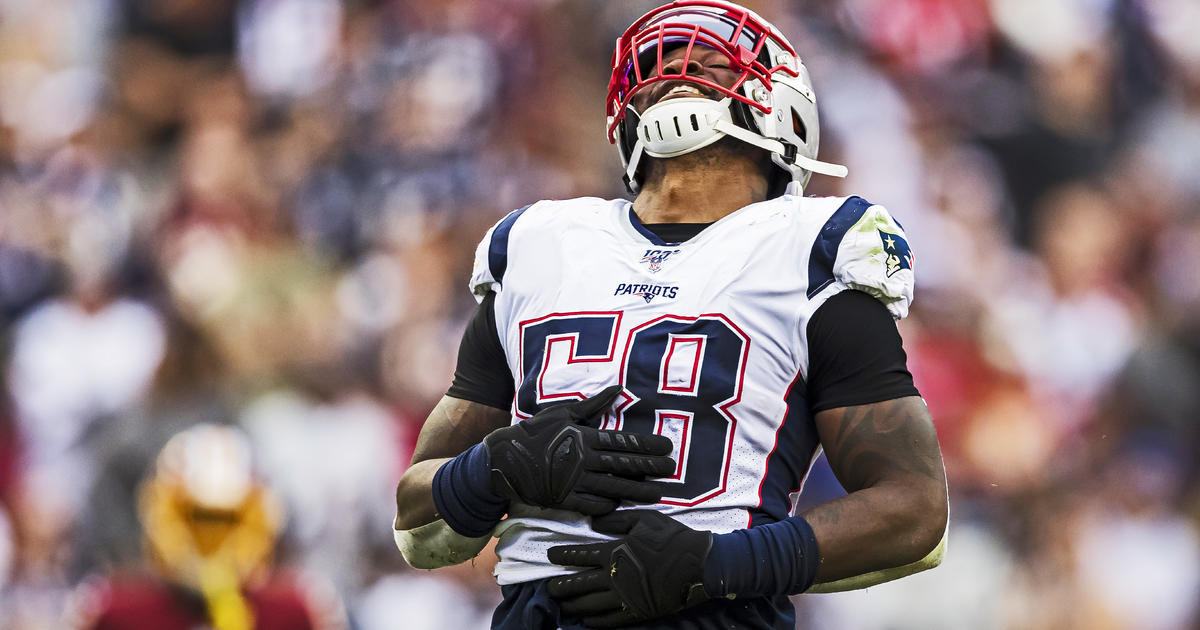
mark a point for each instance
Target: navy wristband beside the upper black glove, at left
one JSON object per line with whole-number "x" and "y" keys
{"x": 464, "y": 494}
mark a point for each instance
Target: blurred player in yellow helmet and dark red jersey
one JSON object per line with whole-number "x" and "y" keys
{"x": 211, "y": 529}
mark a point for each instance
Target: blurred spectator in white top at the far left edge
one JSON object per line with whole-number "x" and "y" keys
{"x": 77, "y": 362}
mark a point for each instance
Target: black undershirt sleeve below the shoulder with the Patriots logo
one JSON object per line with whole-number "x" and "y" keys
{"x": 855, "y": 355}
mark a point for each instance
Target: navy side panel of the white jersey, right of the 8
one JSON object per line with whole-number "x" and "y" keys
{"x": 789, "y": 463}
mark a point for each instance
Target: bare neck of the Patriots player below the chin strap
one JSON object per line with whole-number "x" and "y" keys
{"x": 698, "y": 189}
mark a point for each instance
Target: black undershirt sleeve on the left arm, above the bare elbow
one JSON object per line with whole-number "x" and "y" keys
{"x": 483, "y": 373}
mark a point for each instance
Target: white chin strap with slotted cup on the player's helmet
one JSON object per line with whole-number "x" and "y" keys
{"x": 667, "y": 130}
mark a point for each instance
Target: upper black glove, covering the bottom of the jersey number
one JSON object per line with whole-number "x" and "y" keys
{"x": 555, "y": 461}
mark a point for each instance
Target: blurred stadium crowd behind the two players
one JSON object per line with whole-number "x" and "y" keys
{"x": 262, "y": 214}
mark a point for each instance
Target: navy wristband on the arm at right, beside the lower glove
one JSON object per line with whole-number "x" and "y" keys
{"x": 772, "y": 560}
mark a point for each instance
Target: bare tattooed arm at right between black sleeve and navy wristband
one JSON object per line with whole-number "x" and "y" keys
{"x": 887, "y": 458}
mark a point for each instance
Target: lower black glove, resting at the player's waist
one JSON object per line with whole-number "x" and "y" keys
{"x": 653, "y": 569}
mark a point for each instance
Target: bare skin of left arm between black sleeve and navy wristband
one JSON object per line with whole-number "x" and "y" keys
{"x": 454, "y": 427}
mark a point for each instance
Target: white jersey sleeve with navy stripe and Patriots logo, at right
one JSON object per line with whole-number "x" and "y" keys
{"x": 863, "y": 248}
